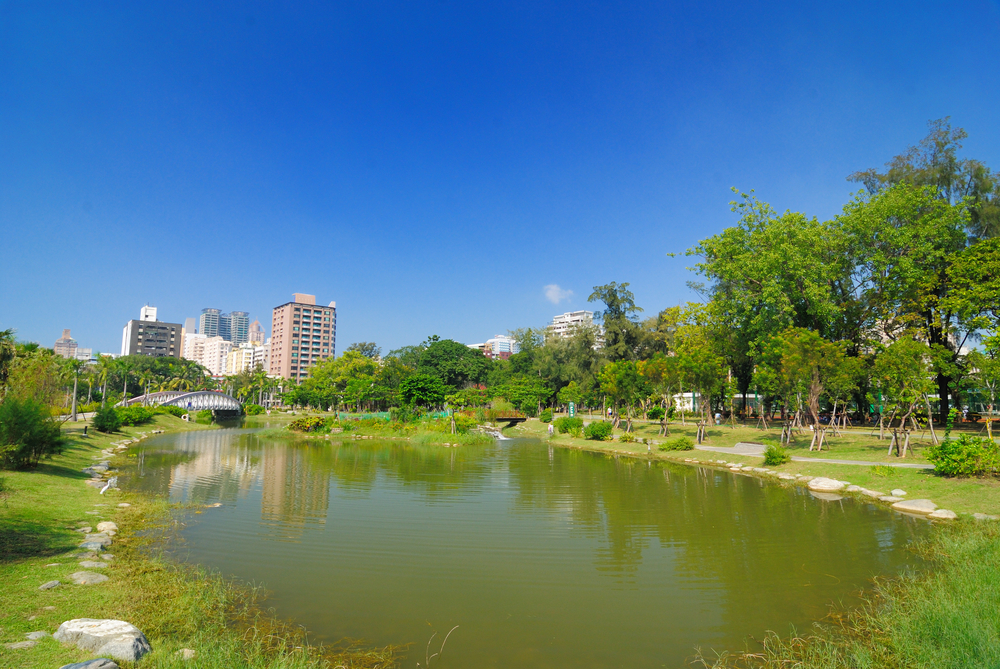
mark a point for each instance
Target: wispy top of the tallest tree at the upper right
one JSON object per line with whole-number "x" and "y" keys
{"x": 934, "y": 162}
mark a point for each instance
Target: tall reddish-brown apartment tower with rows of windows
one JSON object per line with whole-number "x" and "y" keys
{"x": 302, "y": 334}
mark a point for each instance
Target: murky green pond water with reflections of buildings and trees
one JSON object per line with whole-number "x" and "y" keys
{"x": 543, "y": 557}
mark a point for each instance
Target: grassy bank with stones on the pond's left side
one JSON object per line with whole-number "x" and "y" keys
{"x": 175, "y": 606}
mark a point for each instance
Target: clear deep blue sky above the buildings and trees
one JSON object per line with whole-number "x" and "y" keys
{"x": 434, "y": 166}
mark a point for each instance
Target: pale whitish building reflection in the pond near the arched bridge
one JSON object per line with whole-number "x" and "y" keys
{"x": 220, "y": 471}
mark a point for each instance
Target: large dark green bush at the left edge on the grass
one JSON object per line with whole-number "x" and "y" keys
{"x": 27, "y": 433}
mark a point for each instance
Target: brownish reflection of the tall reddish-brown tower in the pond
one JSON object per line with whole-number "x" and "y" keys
{"x": 293, "y": 493}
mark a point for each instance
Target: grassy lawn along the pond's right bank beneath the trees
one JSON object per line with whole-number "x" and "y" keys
{"x": 959, "y": 495}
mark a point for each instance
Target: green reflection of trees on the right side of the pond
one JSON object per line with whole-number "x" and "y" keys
{"x": 744, "y": 534}
